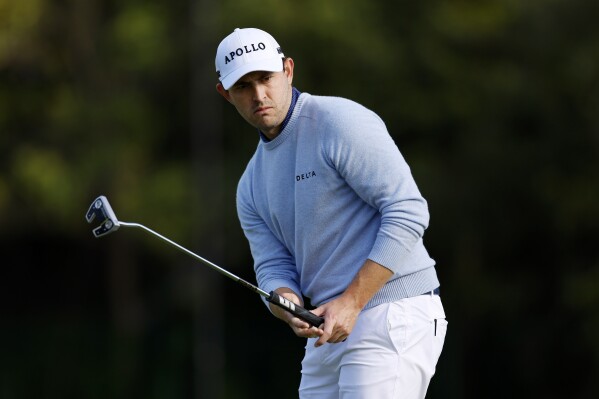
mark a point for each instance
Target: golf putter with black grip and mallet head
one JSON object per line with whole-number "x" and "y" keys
{"x": 101, "y": 211}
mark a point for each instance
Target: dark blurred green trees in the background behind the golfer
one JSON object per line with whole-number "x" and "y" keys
{"x": 494, "y": 103}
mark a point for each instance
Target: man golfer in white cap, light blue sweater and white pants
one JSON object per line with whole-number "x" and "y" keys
{"x": 332, "y": 214}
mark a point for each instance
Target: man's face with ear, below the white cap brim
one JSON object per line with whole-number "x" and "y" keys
{"x": 262, "y": 98}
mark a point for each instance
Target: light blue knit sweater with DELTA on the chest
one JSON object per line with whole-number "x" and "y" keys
{"x": 330, "y": 191}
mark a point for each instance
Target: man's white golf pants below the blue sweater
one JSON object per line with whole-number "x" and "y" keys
{"x": 391, "y": 354}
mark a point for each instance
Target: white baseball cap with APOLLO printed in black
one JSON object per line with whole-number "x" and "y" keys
{"x": 244, "y": 51}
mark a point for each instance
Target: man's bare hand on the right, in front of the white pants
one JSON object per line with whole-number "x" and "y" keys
{"x": 340, "y": 316}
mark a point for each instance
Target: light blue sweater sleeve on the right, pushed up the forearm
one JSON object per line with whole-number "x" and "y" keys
{"x": 365, "y": 155}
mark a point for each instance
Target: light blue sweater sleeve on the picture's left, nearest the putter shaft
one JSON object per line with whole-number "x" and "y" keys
{"x": 273, "y": 264}
